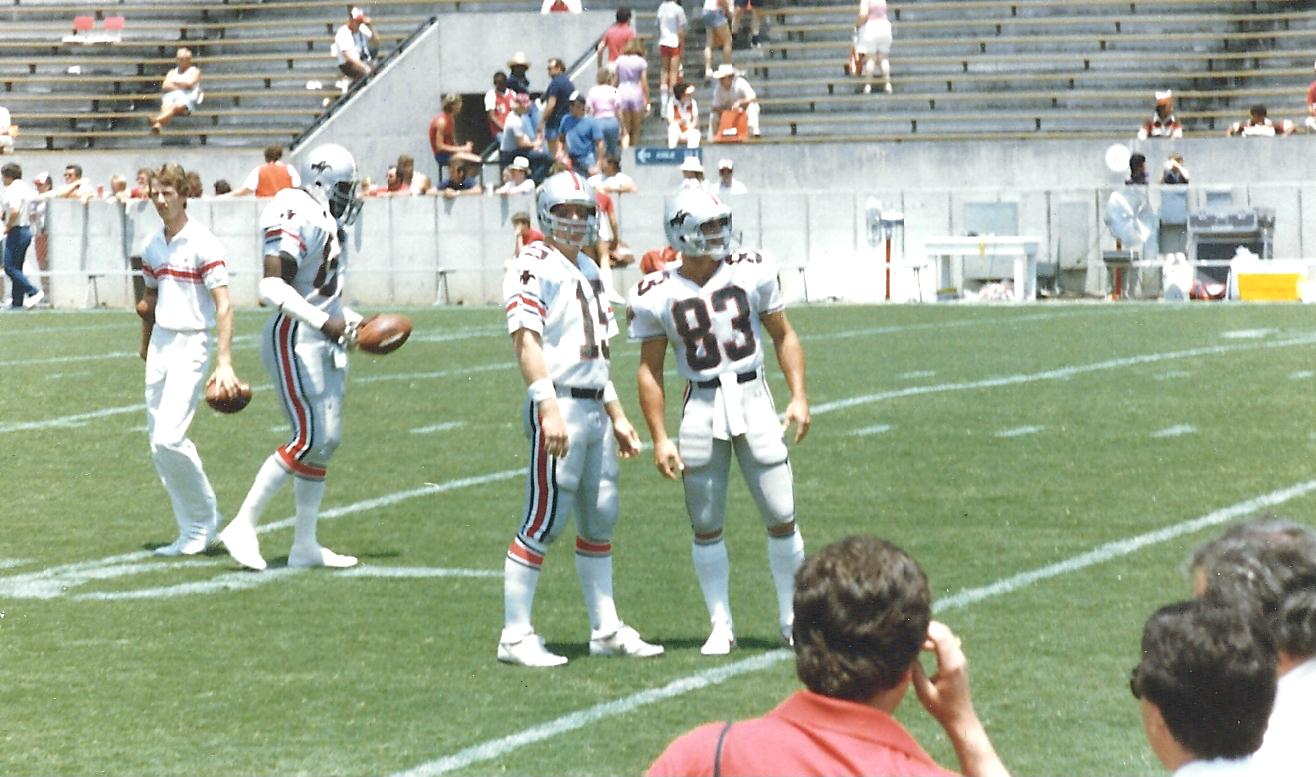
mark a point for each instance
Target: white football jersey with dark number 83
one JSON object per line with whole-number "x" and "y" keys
{"x": 714, "y": 329}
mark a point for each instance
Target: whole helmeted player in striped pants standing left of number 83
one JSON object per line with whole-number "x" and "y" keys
{"x": 561, "y": 325}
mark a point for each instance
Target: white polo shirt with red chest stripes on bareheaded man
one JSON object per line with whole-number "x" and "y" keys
{"x": 184, "y": 272}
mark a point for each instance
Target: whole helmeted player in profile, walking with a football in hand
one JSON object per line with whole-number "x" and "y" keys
{"x": 305, "y": 348}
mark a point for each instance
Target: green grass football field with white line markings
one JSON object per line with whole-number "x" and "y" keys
{"x": 1051, "y": 467}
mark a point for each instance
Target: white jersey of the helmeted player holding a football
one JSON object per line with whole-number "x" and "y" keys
{"x": 298, "y": 225}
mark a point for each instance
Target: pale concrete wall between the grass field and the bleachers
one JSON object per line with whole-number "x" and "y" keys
{"x": 399, "y": 244}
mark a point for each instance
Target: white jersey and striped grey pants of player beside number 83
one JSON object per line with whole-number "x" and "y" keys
{"x": 563, "y": 301}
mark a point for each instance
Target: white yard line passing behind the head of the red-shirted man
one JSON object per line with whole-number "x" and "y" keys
{"x": 497, "y": 747}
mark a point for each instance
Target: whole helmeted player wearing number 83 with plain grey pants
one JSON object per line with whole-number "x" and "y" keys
{"x": 714, "y": 309}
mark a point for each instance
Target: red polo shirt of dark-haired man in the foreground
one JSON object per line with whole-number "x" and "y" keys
{"x": 809, "y": 734}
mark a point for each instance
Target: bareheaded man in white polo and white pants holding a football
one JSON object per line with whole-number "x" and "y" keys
{"x": 186, "y": 297}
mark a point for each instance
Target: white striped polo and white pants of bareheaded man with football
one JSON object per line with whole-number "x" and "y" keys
{"x": 184, "y": 272}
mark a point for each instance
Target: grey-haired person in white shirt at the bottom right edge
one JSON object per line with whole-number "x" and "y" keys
{"x": 1268, "y": 567}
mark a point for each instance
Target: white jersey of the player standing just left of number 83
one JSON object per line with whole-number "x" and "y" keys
{"x": 563, "y": 301}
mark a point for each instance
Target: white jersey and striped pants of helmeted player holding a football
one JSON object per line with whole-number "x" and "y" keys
{"x": 310, "y": 371}
